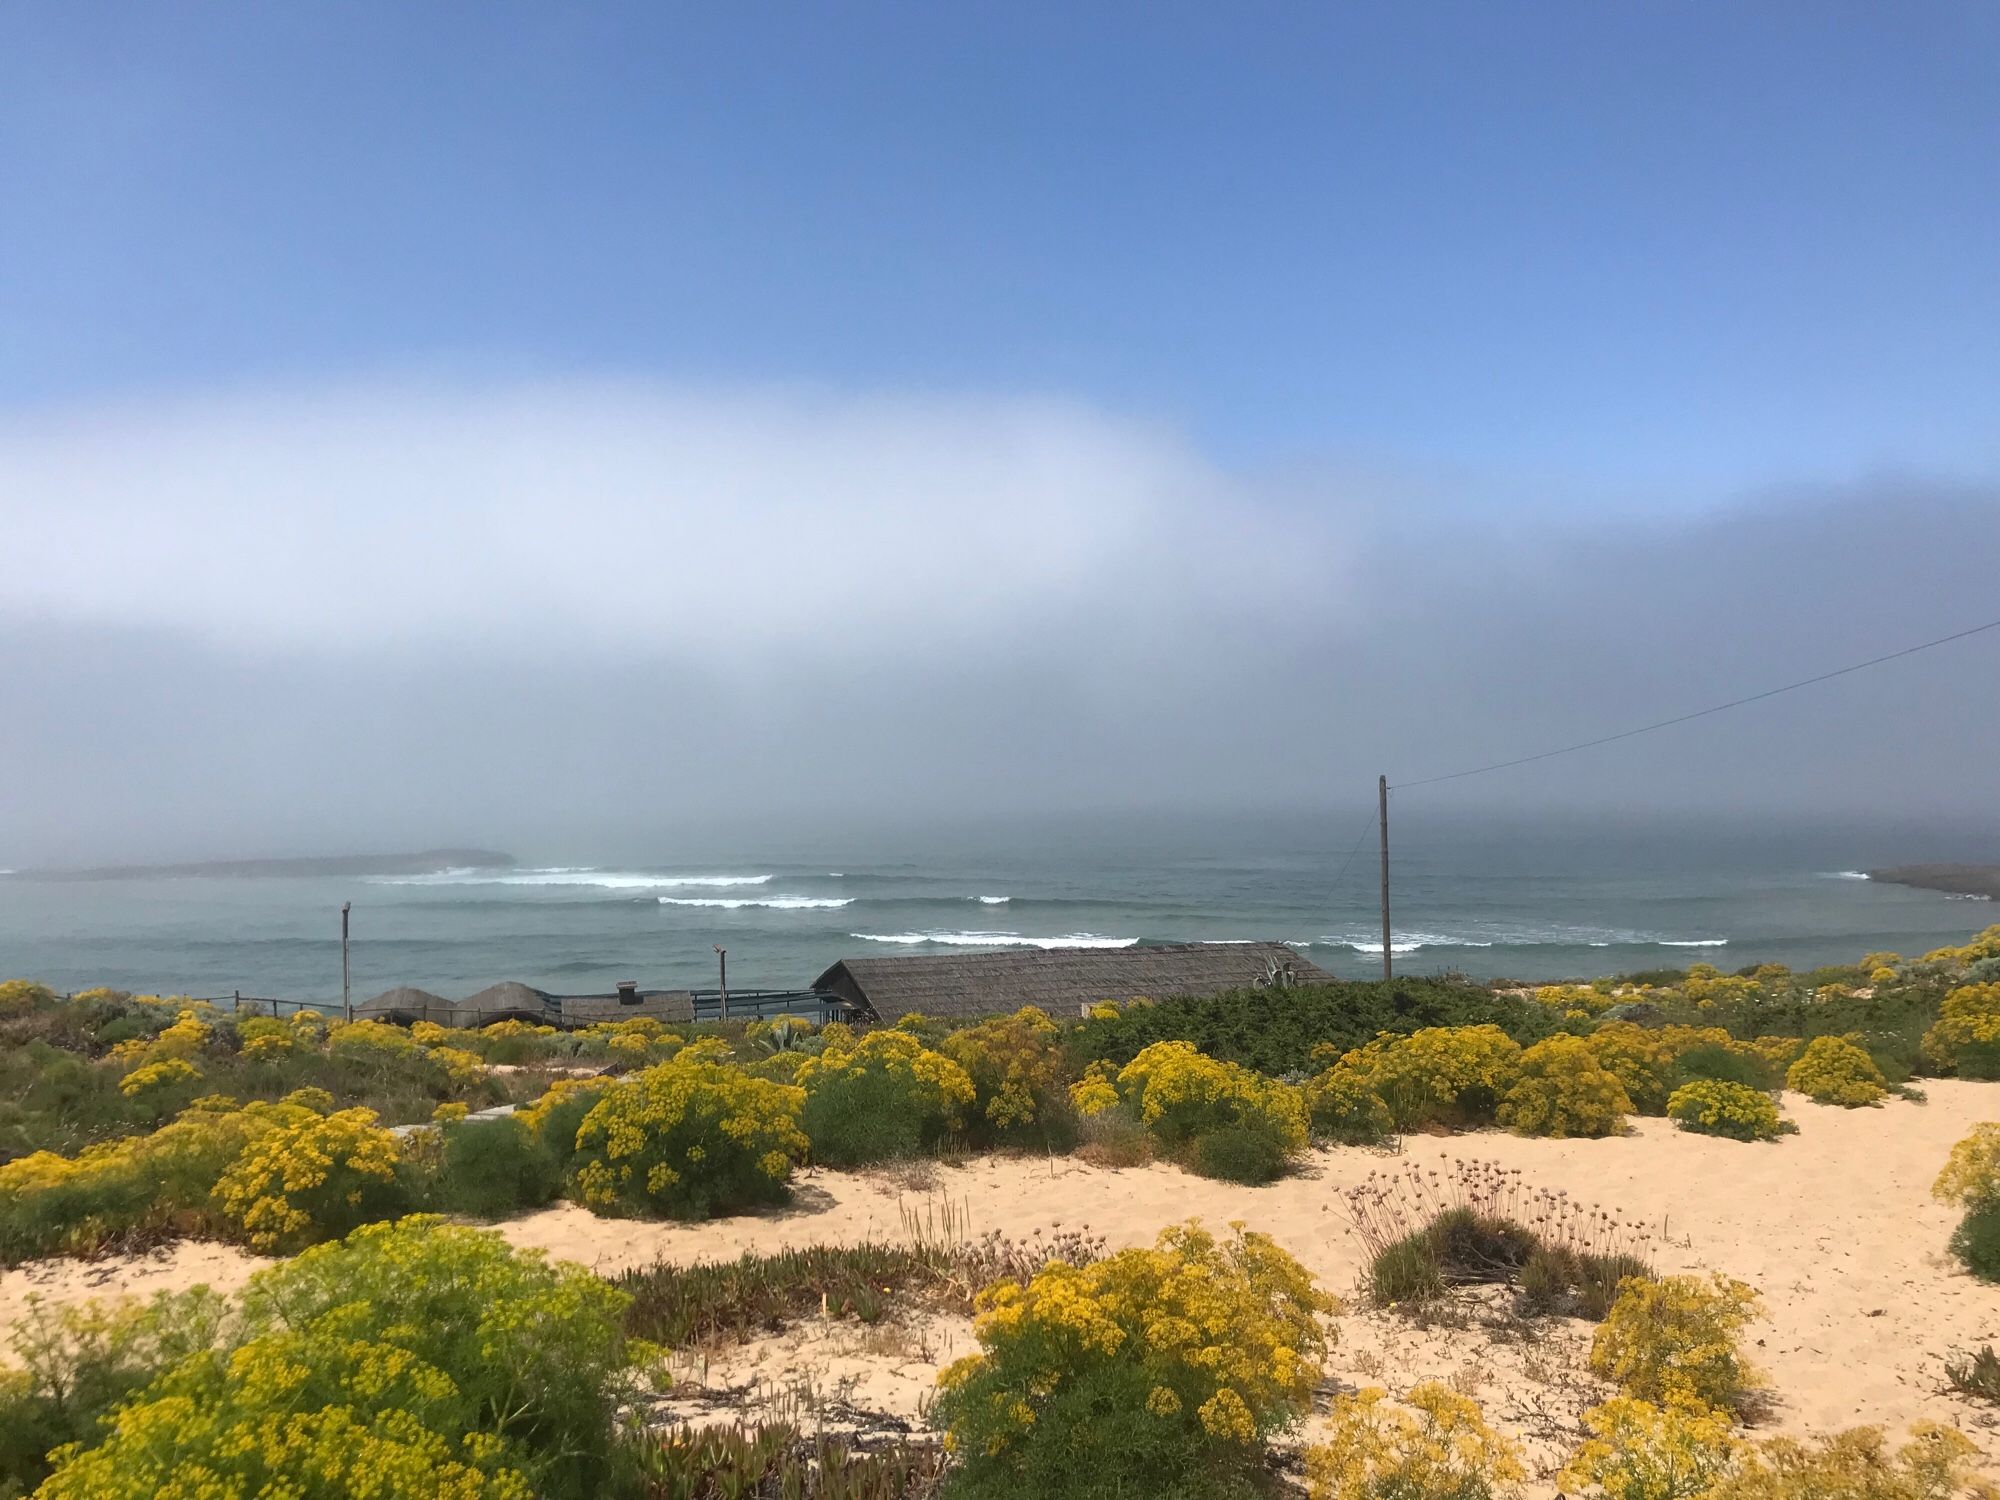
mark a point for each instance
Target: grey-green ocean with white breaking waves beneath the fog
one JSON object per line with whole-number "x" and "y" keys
{"x": 1487, "y": 897}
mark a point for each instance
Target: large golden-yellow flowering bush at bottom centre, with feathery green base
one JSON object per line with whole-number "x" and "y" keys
{"x": 1169, "y": 1367}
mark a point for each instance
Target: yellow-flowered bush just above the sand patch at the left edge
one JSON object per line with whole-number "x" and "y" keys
{"x": 315, "y": 1179}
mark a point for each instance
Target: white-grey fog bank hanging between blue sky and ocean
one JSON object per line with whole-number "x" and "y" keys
{"x": 585, "y": 615}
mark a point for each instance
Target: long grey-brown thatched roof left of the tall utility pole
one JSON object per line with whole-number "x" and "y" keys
{"x": 1059, "y": 981}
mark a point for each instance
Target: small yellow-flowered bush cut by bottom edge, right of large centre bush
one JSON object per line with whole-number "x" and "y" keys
{"x": 1439, "y": 1449}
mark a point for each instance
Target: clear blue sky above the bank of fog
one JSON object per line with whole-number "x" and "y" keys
{"x": 1633, "y": 255}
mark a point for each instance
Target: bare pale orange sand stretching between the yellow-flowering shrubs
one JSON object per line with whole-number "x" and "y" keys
{"x": 1835, "y": 1227}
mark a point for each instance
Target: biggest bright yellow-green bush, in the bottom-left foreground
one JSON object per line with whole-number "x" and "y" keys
{"x": 417, "y": 1359}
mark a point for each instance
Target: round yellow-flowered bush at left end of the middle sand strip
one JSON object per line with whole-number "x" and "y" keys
{"x": 689, "y": 1139}
